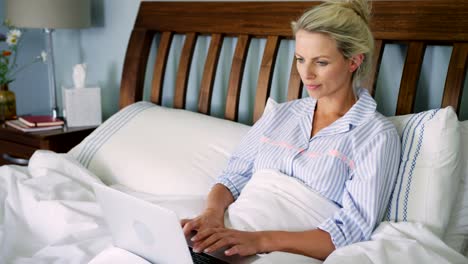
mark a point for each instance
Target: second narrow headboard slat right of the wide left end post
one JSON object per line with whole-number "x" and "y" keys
{"x": 184, "y": 69}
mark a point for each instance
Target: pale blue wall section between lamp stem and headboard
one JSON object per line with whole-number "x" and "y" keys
{"x": 102, "y": 47}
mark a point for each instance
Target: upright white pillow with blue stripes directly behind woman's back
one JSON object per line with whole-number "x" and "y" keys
{"x": 429, "y": 175}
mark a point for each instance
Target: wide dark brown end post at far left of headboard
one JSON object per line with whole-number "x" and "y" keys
{"x": 136, "y": 58}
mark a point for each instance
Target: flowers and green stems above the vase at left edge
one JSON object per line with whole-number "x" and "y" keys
{"x": 8, "y": 65}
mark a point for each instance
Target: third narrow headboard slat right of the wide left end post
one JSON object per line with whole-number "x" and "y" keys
{"x": 206, "y": 88}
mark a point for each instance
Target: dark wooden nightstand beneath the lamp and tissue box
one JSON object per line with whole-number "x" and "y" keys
{"x": 16, "y": 147}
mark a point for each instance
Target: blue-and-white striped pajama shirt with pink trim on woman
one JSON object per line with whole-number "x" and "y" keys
{"x": 352, "y": 162}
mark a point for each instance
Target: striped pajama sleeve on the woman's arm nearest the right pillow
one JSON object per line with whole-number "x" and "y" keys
{"x": 368, "y": 190}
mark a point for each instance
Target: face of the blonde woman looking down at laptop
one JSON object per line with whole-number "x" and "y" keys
{"x": 325, "y": 72}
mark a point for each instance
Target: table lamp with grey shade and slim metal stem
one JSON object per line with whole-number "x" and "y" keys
{"x": 49, "y": 15}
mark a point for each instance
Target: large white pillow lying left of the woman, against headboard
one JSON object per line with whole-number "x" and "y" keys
{"x": 158, "y": 150}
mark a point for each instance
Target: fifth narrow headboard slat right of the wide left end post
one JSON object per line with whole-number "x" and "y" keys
{"x": 265, "y": 75}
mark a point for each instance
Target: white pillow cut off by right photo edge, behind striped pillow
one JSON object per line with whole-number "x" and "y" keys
{"x": 456, "y": 235}
